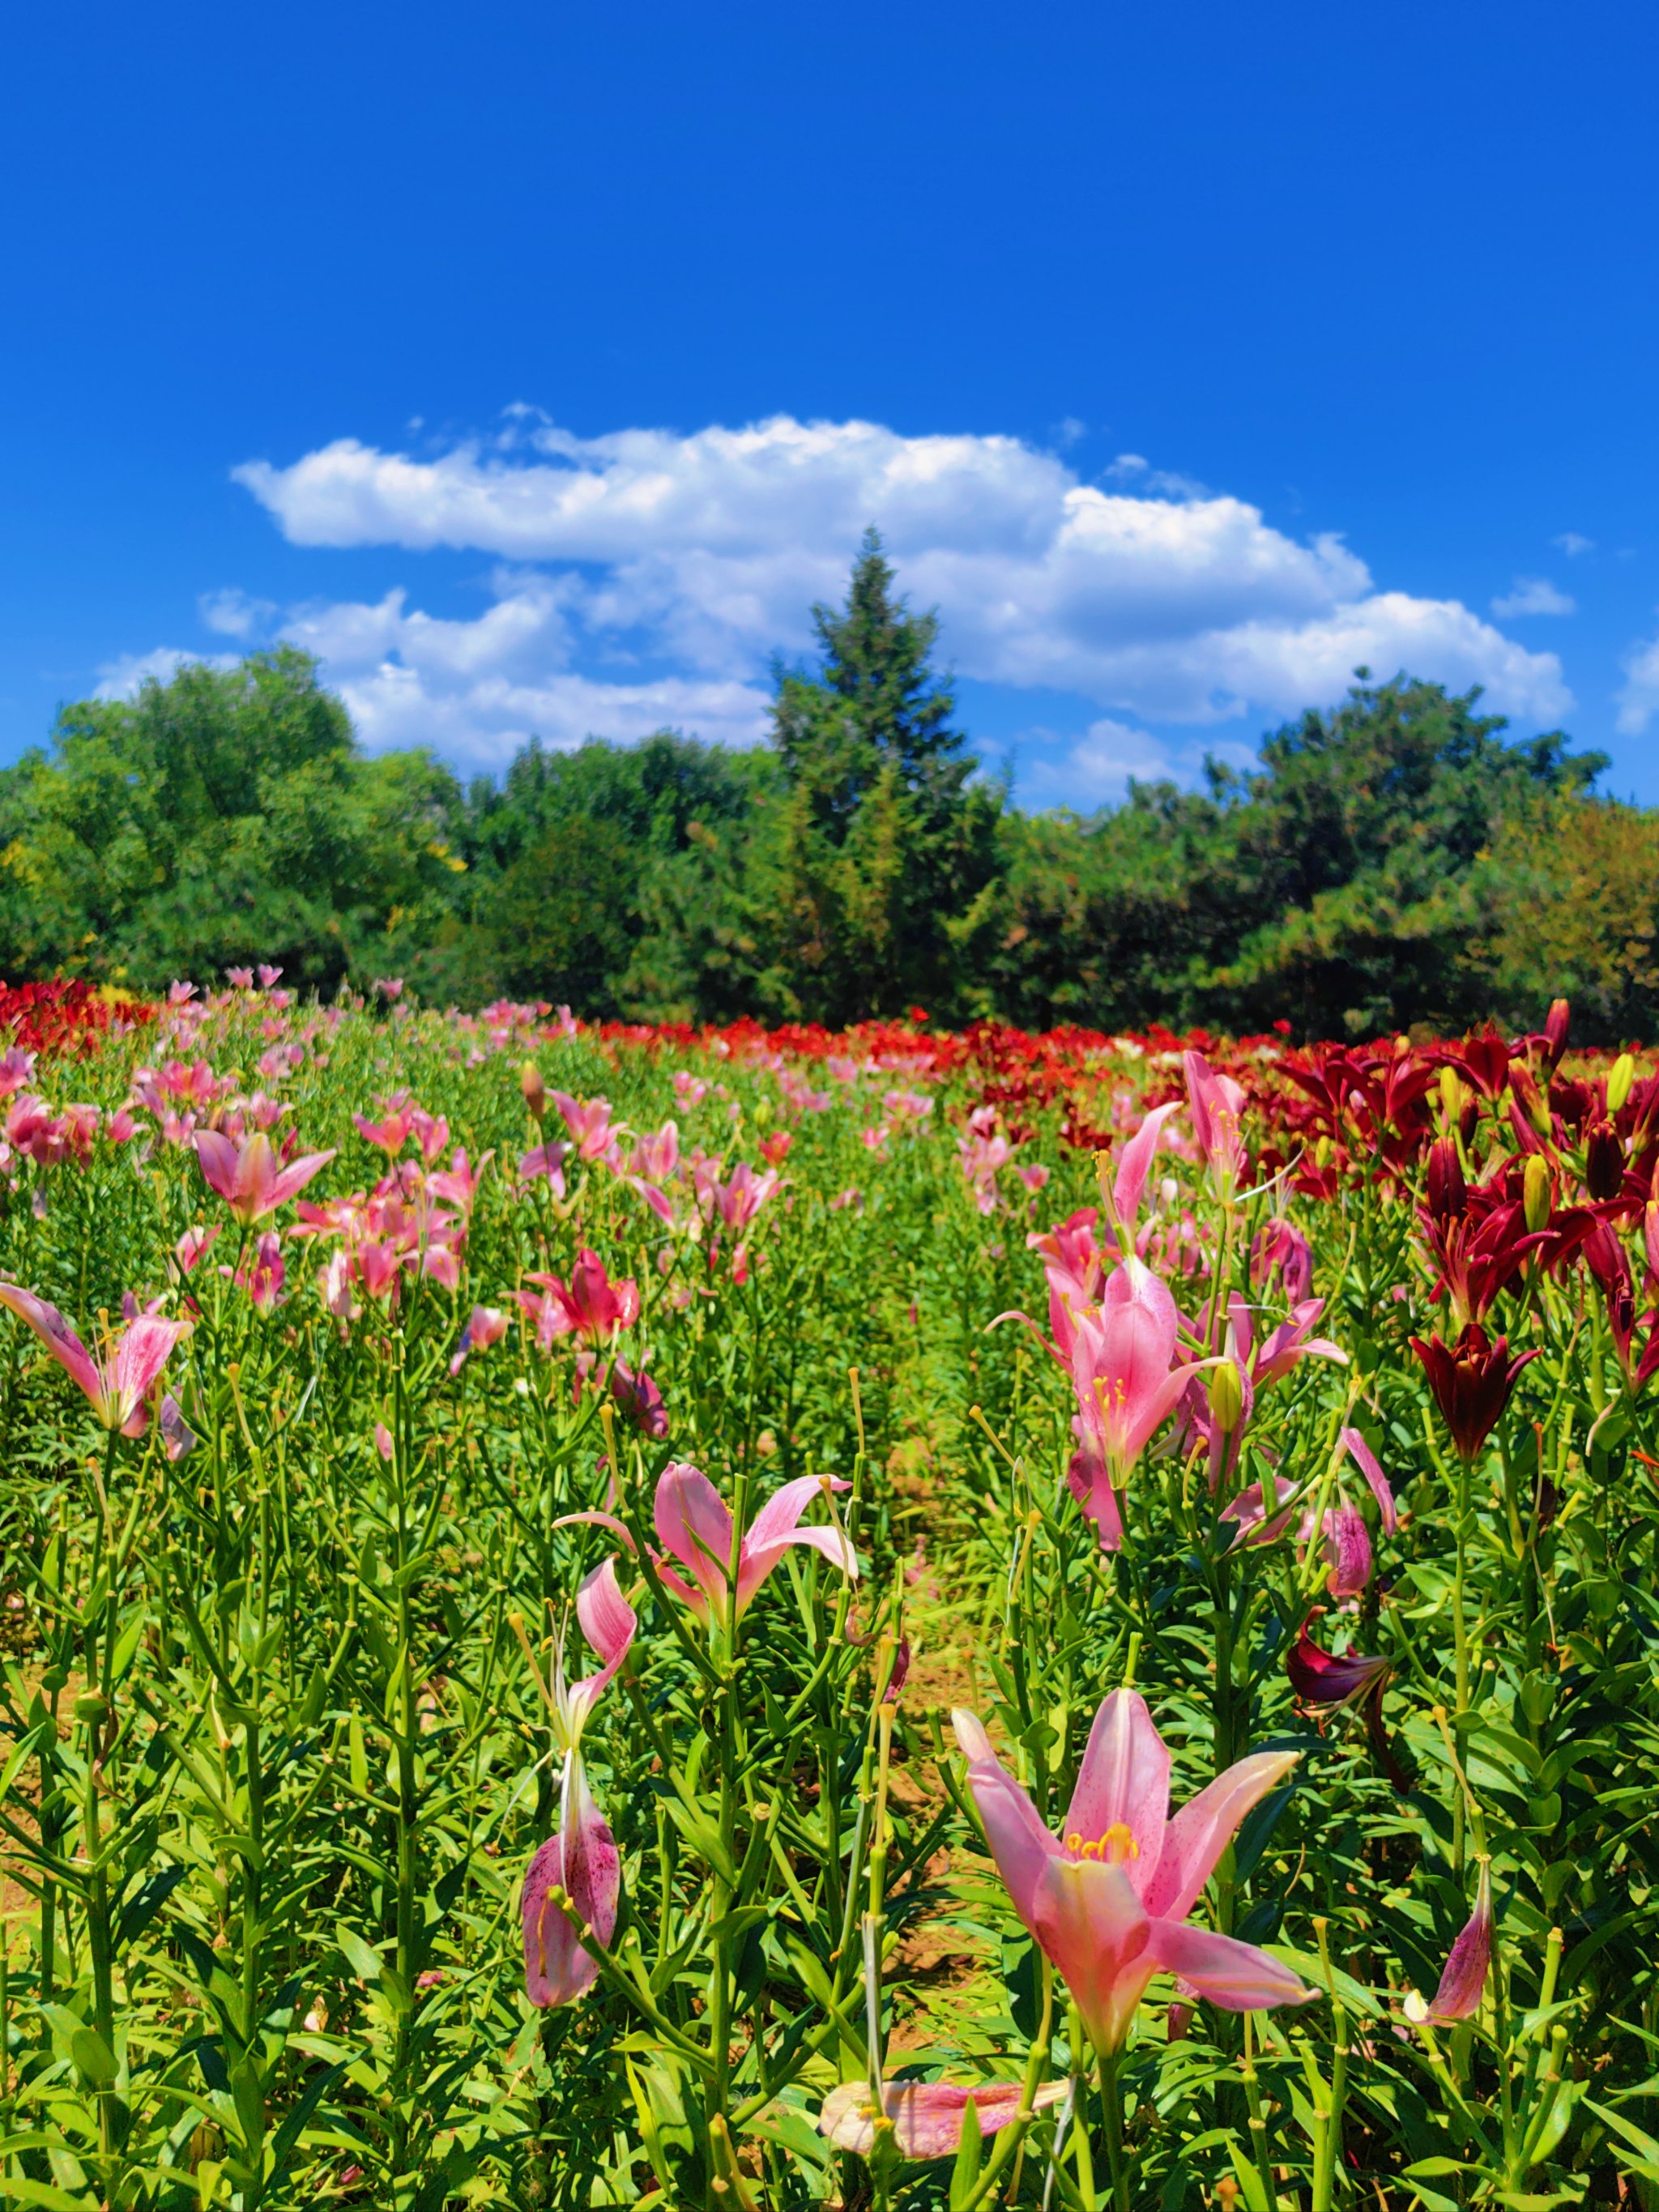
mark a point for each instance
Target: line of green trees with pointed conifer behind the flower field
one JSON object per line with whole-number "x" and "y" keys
{"x": 1392, "y": 862}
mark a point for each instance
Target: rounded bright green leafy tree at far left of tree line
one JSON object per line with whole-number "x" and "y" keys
{"x": 216, "y": 820}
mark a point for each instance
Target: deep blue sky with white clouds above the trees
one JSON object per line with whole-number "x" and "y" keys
{"x": 539, "y": 366}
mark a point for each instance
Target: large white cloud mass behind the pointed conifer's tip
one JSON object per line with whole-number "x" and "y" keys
{"x": 651, "y": 572}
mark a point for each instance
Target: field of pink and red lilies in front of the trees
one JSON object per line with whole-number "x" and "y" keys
{"x": 766, "y": 1618}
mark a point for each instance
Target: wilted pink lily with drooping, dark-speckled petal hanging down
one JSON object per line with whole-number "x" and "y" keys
{"x": 583, "y": 1857}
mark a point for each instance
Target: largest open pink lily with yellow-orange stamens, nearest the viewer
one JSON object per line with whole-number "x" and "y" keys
{"x": 1109, "y": 1901}
